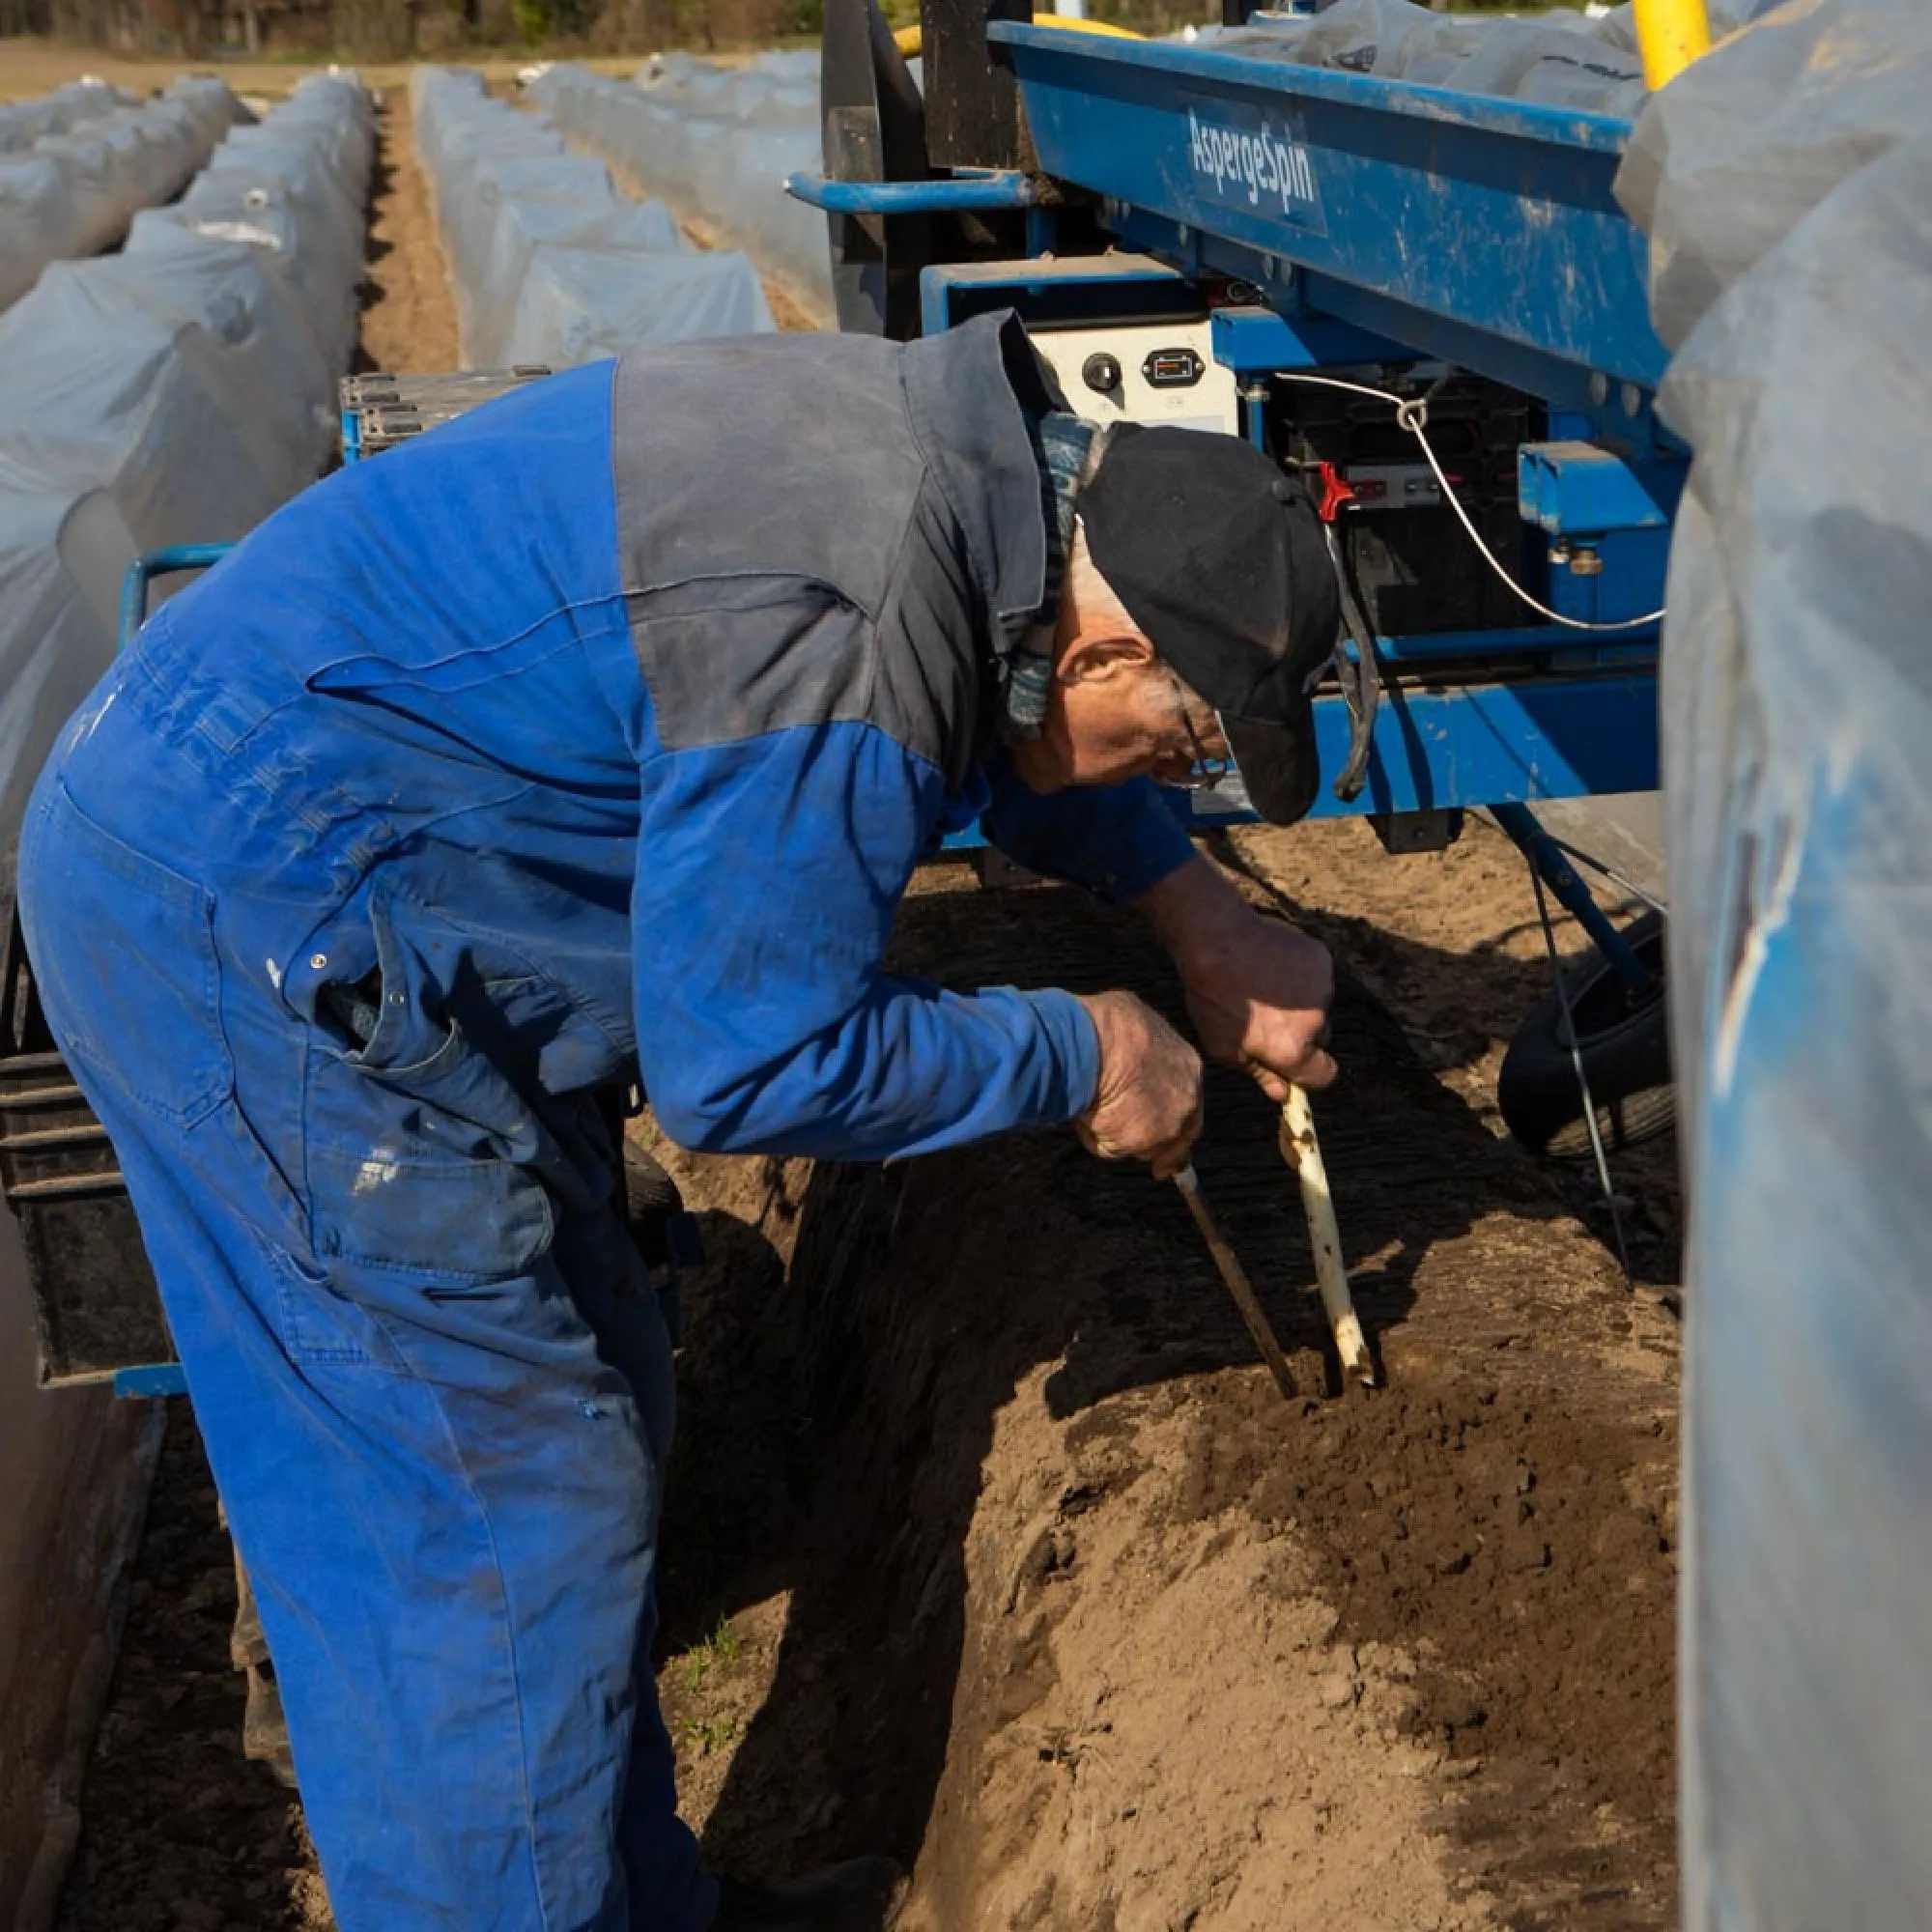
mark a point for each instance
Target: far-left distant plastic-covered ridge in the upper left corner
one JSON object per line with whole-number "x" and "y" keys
{"x": 78, "y": 185}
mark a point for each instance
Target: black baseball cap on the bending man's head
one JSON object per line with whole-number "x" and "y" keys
{"x": 1222, "y": 563}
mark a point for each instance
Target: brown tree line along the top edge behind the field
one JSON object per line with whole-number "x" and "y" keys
{"x": 399, "y": 30}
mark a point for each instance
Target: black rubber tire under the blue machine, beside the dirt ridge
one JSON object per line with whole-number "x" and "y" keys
{"x": 1626, "y": 1054}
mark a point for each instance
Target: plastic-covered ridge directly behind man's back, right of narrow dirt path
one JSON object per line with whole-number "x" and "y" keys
{"x": 552, "y": 262}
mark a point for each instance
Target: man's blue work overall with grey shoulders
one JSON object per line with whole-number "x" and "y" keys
{"x": 592, "y": 735}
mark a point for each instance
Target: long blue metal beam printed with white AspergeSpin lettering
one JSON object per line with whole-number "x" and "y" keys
{"x": 1313, "y": 185}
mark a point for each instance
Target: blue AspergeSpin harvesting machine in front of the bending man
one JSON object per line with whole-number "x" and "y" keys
{"x": 1429, "y": 304}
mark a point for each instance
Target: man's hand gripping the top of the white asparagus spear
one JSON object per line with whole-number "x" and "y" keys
{"x": 1259, "y": 994}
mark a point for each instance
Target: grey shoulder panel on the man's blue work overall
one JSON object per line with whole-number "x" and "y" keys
{"x": 787, "y": 555}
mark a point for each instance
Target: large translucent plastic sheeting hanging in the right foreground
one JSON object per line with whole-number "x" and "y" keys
{"x": 1786, "y": 183}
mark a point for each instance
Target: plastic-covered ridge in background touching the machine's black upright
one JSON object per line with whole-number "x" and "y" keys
{"x": 716, "y": 144}
